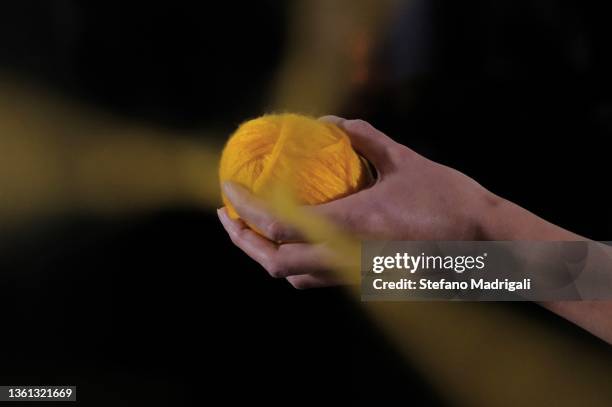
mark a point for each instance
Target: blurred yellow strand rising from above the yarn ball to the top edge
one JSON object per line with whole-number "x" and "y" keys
{"x": 324, "y": 53}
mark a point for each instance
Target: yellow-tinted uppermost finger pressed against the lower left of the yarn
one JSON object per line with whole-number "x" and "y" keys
{"x": 254, "y": 212}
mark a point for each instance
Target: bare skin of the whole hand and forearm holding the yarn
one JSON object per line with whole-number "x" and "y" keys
{"x": 413, "y": 198}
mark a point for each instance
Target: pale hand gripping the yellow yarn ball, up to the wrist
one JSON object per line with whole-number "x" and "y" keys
{"x": 413, "y": 198}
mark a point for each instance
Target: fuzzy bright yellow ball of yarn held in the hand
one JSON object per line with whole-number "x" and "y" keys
{"x": 313, "y": 157}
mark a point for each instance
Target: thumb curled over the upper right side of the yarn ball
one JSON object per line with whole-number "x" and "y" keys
{"x": 371, "y": 143}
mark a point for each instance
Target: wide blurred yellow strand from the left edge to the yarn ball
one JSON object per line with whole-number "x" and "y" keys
{"x": 57, "y": 157}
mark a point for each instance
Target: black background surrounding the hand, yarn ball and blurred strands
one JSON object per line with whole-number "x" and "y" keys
{"x": 161, "y": 308}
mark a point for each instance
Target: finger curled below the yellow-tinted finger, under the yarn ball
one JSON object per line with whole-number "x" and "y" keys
{"x": 280, "y": 261}
